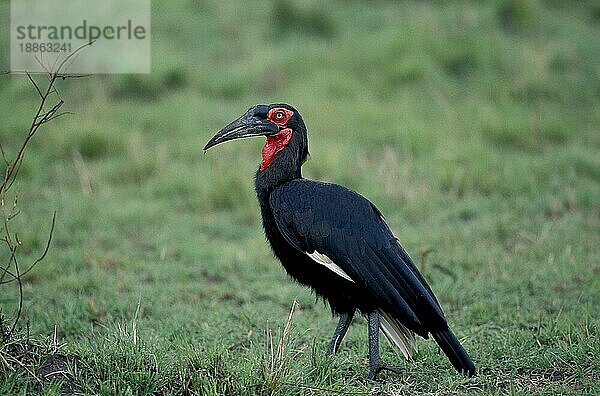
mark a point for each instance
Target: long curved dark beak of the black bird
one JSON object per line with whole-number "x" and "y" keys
{"x": 252, "y": 123}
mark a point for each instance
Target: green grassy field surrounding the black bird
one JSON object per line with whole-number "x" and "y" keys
{"x": 474, "y": 127}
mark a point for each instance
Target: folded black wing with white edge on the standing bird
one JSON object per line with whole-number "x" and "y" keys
{"x": 345, "y": 227}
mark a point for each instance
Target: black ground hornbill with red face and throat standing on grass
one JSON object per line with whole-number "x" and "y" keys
{"x": 336, "y": 242}
